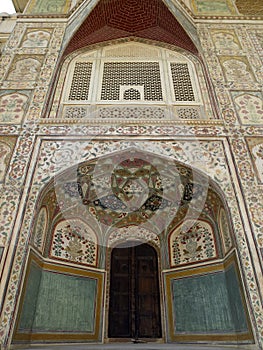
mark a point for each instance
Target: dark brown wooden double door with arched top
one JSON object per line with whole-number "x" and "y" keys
{"x": 134, "y": 310}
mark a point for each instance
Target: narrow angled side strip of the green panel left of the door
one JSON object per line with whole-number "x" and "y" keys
{"x": 30, "y": 300}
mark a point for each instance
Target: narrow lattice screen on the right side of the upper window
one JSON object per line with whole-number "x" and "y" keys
{"x": 183, "y": 89}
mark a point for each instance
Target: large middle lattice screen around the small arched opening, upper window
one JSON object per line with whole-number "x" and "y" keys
{"x": 146, "y": 74}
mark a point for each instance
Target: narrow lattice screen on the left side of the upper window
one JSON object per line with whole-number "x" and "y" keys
{"x": 81, "y": 80}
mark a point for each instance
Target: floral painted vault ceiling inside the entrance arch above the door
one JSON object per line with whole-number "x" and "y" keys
{"x": 132, "y": 188}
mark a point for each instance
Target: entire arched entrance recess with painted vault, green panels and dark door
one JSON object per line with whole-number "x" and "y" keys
{"x": 152, "y": 201}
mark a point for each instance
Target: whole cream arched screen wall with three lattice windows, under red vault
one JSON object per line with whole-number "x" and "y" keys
{"x": 135, "y": 75}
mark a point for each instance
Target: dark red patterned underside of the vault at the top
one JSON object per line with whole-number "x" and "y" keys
{"x": 113, "y": 19}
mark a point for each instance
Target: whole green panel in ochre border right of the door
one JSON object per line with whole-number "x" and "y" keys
{"x": 207, "y": 304}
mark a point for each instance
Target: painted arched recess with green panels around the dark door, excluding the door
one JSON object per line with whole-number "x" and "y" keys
{"x": 138, "y": 188}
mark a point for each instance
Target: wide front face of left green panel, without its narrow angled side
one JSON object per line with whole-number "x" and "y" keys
{"x": 65, "y": 303}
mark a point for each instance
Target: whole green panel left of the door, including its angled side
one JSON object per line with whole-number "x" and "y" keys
{"x": 57, "y": 302}
